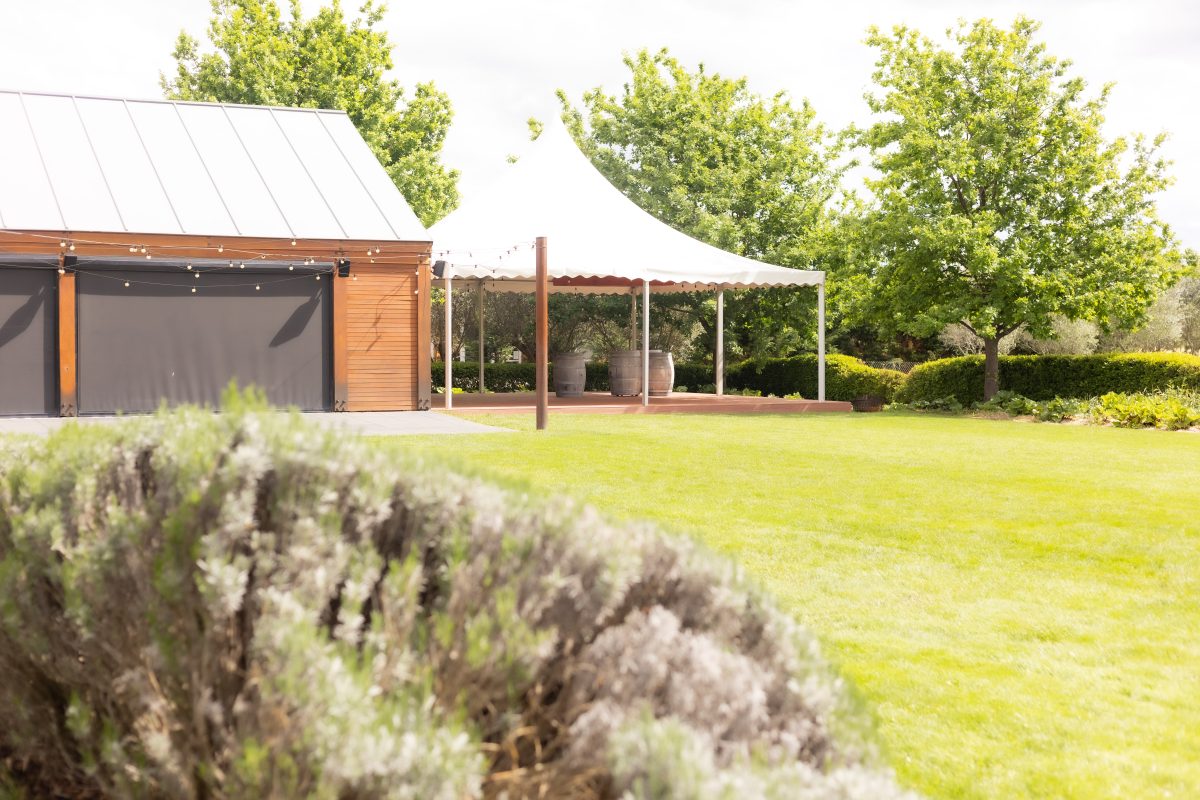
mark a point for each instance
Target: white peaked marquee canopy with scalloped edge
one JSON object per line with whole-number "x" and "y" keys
{"x": 593, "y": 232}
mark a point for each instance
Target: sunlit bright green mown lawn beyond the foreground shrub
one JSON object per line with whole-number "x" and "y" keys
{"x": 1019, "y": 604}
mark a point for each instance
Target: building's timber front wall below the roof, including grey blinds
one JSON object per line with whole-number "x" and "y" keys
{"x": 373, "y": 339}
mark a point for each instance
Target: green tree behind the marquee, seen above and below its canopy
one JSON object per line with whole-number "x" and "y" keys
{"x": 751, "y": 175}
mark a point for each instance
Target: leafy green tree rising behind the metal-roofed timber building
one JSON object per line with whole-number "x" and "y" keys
{"x": 262, "y": 58}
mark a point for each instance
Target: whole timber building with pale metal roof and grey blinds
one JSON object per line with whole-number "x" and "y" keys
{"x": 154, "y": 251}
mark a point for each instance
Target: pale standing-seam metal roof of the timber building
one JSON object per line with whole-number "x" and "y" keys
{"x": 163, "y": 167}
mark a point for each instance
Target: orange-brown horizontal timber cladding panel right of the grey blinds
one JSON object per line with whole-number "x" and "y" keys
{"x": 382, "y": 336}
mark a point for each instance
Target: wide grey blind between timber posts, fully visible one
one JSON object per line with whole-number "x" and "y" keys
{"x": 158, "y": 341}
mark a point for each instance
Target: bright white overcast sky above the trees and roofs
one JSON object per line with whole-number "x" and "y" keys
{"x": 501, "y": 62}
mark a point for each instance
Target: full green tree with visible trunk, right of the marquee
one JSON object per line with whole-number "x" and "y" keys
{"x": 999, "y": 202}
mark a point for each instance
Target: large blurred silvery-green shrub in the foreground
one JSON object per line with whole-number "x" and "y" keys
{"x": 247, "y": 606}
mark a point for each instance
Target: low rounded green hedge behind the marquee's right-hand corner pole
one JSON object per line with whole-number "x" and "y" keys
{"x": 847, "y": 378}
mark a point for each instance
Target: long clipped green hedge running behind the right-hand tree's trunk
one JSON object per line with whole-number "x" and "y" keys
{"x": 1046, "y": 377}
